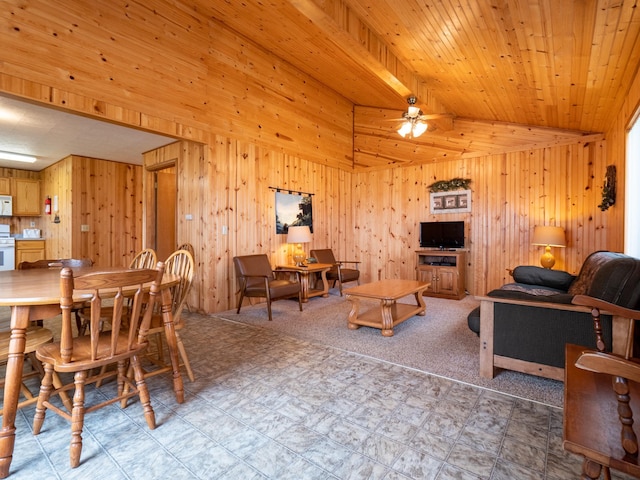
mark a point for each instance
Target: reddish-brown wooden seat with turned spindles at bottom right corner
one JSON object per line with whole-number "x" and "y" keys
{"x": 602, "y": 390}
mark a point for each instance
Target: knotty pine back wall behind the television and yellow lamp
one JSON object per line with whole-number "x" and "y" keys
{"x": 511, "y": 193}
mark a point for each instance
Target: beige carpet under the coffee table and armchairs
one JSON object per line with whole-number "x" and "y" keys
{"x": 439, "y": 343}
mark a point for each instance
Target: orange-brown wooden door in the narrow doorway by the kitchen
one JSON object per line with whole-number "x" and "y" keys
{"x": 165, "y": 191}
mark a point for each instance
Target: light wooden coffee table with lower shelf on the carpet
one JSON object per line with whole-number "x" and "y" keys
{"x": 390, "y": 313}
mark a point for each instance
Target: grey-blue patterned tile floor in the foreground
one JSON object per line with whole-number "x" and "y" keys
{"x": 266, "y": 406}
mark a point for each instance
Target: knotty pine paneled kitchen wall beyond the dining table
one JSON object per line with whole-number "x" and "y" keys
{"x": 107, "y": 197}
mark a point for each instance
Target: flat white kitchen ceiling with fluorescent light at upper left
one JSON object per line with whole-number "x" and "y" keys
{"x": 51, "y": 135}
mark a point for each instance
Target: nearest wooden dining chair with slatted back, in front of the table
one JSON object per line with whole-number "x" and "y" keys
{"x": 123, "y": 344}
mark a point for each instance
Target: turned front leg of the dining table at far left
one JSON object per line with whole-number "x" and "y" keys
{"x": 13, "y": 380}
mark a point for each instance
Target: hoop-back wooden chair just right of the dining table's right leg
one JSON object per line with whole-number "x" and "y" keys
{"x": 179, "y": 263}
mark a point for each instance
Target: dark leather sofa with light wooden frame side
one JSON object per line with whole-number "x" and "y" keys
{"x": 525, "y": 325}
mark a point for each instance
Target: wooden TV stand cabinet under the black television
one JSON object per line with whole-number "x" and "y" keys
{"x": 444, "y": 269}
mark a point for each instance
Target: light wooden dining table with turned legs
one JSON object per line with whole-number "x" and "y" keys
{"x": 35, "y": 295}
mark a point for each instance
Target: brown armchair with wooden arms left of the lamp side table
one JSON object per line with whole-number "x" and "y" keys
{"x": 256, "y": 279}
